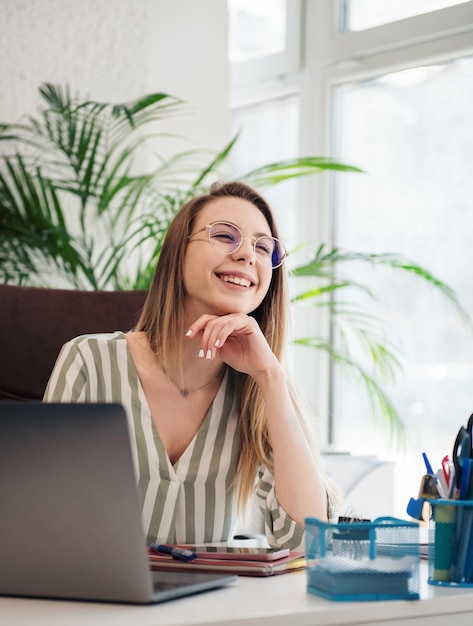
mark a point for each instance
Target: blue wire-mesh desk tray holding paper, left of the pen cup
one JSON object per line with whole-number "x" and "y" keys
{"x": 377, "y": 560}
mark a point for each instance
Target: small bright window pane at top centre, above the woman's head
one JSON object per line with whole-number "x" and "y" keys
{"x": 257, "y": 28}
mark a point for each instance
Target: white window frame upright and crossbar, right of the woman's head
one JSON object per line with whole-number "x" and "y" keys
{"x": 327, "y": 58}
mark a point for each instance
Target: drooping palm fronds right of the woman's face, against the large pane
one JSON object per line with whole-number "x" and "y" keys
{"x": 357, "y": 342}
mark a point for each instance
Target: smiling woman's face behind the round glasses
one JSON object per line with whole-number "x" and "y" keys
{"x": 218, "y": 283}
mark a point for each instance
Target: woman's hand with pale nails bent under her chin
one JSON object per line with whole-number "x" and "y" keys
{"x": 237, "y": 339}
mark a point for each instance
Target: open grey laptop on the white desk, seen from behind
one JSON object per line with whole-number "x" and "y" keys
{"x": 70, "y": 522}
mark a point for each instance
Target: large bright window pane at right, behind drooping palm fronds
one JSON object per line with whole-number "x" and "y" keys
{"x": 412, "y": 132}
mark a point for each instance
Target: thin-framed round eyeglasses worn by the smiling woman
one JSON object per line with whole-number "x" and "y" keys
{"x": 227, "y": 238}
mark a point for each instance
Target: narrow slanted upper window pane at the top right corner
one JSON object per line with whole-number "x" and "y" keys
{"x": 362, "y": 14}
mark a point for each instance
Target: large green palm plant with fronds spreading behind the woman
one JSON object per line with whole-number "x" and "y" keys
{"x": 85, "y": 204}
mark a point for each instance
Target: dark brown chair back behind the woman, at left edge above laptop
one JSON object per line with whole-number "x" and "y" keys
{"x": 35, "y": 323}
